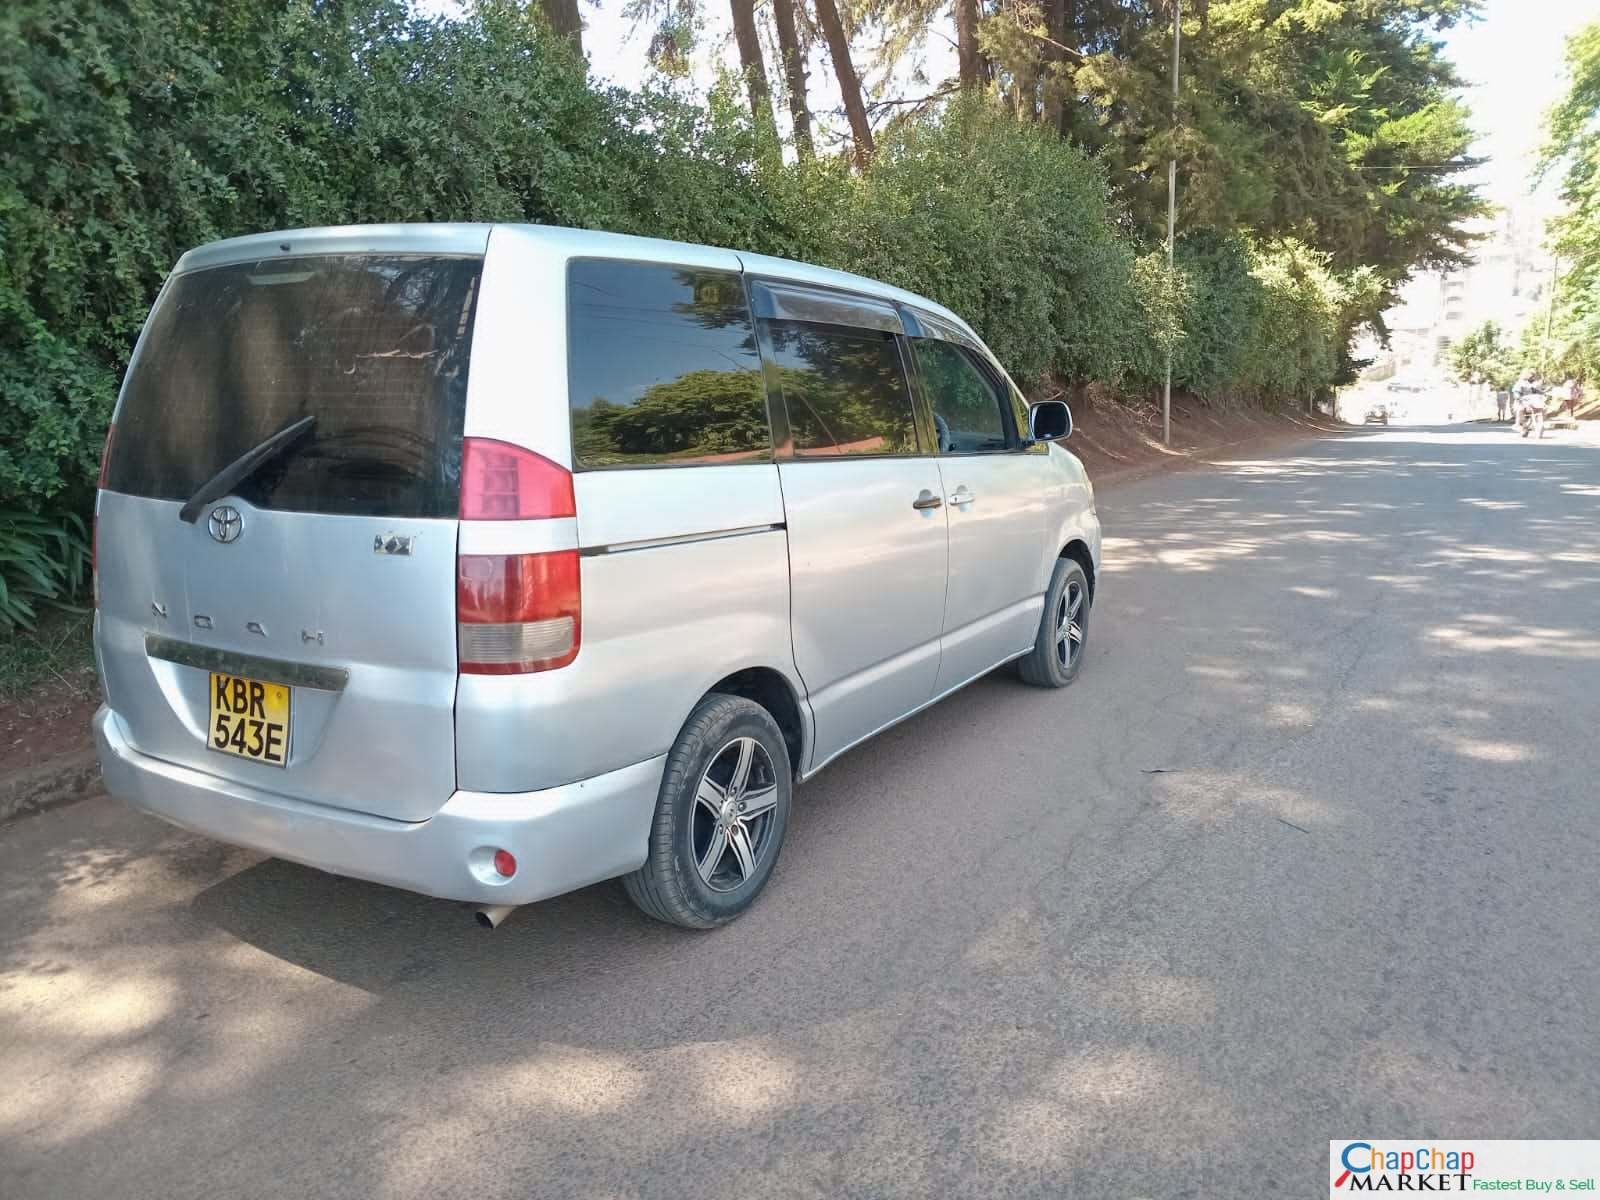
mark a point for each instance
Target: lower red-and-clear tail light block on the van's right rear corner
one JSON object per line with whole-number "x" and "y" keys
{"x": 518, "y": 614}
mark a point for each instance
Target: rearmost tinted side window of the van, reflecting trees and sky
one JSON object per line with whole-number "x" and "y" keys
{"x": 663, "y": 367}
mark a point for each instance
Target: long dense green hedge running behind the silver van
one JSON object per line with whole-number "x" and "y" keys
{"x": 134, "y": 130}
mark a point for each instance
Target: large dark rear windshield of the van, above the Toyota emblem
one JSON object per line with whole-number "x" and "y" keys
{"x": 374, "y": 346}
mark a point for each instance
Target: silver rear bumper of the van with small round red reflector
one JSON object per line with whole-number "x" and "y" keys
{"x": 564, "y": 838}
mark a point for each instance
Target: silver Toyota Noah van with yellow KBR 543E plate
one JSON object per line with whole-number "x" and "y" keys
{"x": 497, "y": 561}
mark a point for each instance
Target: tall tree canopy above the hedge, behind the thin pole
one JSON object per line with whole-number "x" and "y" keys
{"x": 1330, "y": 124}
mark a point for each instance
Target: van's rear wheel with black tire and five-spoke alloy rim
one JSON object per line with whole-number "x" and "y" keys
{"x": 721, "y": 817}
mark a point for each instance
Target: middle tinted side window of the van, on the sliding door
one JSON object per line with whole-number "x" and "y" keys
{"x": 844, "y": 390}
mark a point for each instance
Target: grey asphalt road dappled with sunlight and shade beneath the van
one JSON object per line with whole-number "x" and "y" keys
{"x": 1310, "y": 852}
